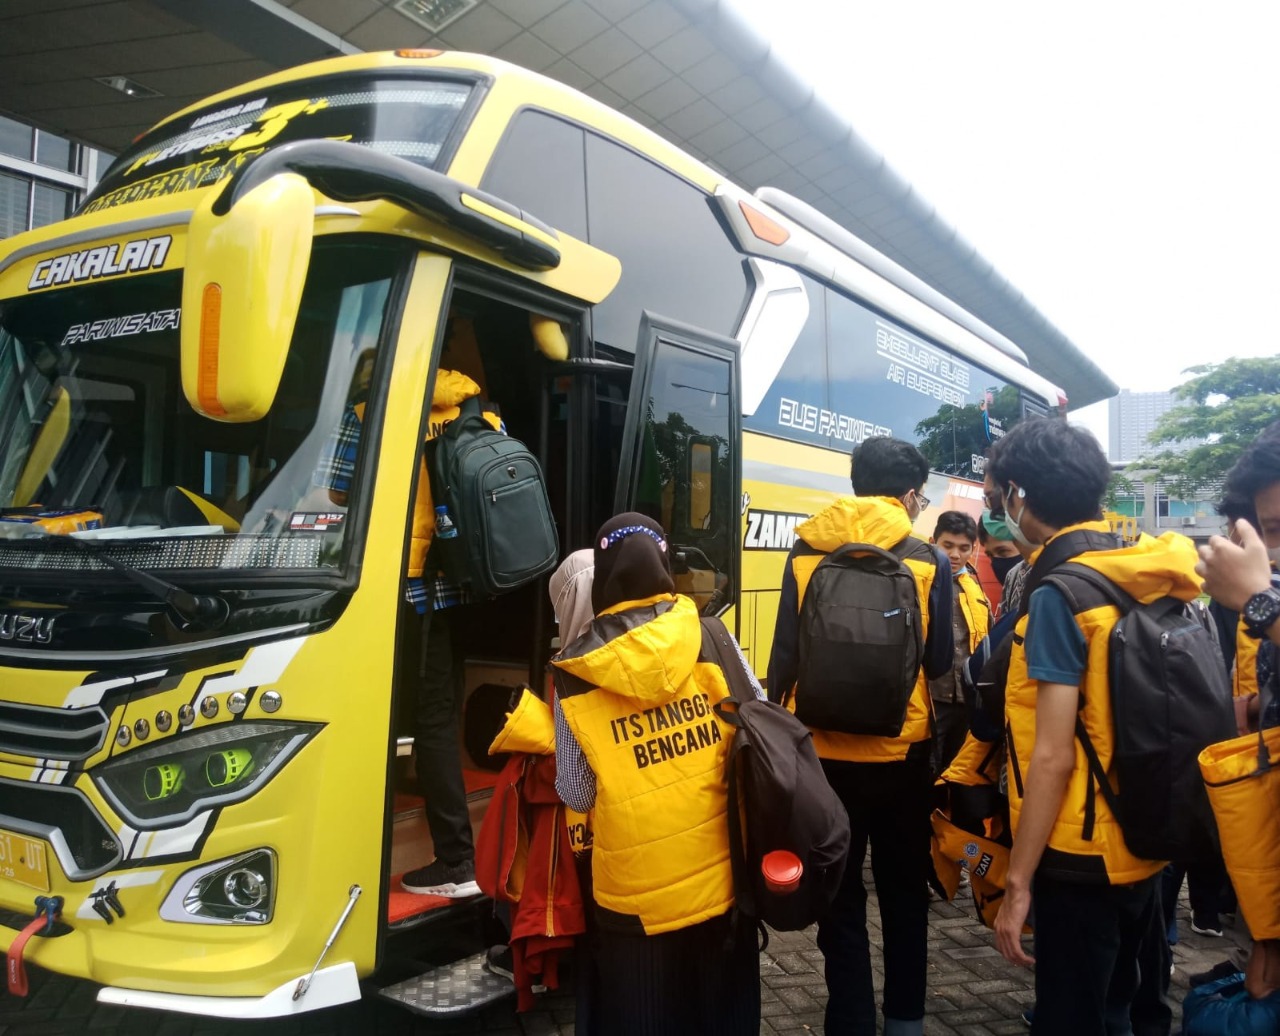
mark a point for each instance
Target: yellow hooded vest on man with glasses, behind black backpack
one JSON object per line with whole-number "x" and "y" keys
{"x": 881, "y": 522}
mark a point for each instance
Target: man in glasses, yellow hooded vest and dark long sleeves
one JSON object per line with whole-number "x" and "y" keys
{"x": 884, "y": 783}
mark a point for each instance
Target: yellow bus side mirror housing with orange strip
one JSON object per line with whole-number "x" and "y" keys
{"x": 245, "y": 273}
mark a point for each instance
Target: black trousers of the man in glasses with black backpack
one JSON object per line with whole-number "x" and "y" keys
{"x": 889, "y": 809}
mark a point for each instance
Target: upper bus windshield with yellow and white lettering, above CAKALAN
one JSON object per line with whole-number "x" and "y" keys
{"x": 412, "y": 118}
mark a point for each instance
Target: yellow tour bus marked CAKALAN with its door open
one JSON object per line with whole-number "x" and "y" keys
{"x": 203, "y": 755}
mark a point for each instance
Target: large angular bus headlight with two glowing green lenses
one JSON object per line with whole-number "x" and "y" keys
{"x": 170, "y": 783}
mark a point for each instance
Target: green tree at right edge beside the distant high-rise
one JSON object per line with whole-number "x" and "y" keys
{"x": 1224, "y": 409}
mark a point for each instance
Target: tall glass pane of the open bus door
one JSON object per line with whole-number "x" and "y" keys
{"x": 685, "y": 478}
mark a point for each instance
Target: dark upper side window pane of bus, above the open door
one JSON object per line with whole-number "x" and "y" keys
{"x": 678, "y": 261}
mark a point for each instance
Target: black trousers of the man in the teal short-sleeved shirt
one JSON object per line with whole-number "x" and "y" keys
{"x": 1089, "y": 944}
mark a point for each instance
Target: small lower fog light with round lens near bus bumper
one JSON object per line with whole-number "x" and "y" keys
{"x": 240, "y": 891}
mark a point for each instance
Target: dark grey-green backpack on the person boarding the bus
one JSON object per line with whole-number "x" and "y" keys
{"x": 497, "y": 499}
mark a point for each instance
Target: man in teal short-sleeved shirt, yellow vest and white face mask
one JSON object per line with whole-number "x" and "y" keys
{"x": 1096, "y": 903}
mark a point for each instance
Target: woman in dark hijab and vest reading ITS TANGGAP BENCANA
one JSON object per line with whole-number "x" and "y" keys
{"x": 639, "y": 746}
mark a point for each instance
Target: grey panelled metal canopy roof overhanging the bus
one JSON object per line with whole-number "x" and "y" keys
{"x": 691, "y": 70}
